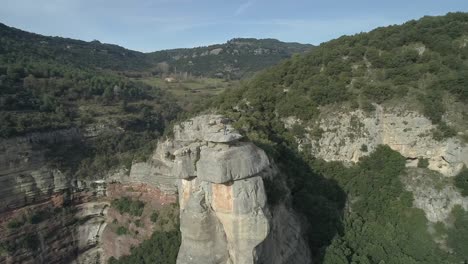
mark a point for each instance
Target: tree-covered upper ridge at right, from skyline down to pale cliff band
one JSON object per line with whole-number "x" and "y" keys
{"x": 421, "y": 63}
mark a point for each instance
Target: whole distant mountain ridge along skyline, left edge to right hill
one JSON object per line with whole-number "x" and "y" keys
{"x": 237, "y": 58}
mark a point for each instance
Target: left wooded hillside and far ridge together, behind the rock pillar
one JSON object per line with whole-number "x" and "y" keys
{"x": 49, "y": 83}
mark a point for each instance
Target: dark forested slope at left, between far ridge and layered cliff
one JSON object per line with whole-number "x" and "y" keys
{"x": 44, "y": 95}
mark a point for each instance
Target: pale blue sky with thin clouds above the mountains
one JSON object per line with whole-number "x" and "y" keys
{"x": 149, "y": 25}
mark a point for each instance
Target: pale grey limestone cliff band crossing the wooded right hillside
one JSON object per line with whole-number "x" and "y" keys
{"x": 407, "y": 132}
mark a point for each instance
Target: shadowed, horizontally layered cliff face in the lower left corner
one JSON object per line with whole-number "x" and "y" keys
{"x": 38, "y": 209}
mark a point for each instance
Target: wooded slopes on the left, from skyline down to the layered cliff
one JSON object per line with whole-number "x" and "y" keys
{"x": 54, "y": 83}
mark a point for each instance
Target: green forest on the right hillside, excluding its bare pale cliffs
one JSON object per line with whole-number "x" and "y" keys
{"x": 362, "y": 213}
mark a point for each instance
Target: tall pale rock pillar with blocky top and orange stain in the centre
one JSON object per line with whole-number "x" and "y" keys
{"x": 225, "y": 217}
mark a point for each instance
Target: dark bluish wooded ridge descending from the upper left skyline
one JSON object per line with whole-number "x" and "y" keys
{"x": 22, "y": 46}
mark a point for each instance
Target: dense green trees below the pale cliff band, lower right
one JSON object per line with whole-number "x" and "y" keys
{"x": 381, "y": 224}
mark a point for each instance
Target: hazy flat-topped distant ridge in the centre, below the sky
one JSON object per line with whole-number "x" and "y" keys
{"x": 240, "y": 57}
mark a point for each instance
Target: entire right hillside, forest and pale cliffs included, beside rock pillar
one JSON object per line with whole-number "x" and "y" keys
{"x": 329, "y": 111}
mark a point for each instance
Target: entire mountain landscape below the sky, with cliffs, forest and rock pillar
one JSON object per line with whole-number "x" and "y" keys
{"x": 251, "y": 151}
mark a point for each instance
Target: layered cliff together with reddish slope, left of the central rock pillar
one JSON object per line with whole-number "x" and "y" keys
{"x": 49, "y": 216}
